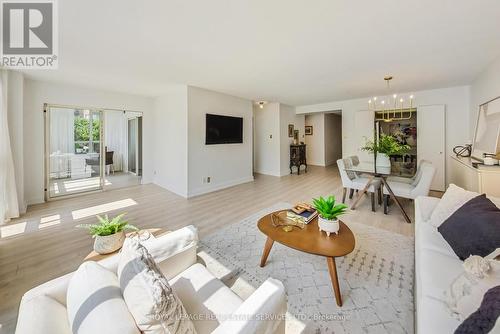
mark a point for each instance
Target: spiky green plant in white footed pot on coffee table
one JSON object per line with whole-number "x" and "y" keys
{"x": 329, "y": 212}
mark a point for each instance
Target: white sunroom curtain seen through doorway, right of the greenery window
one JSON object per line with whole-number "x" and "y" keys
{"x": 115, "y": 133}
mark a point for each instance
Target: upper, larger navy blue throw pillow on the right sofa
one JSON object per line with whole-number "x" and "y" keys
{"x": 474, "y": 229}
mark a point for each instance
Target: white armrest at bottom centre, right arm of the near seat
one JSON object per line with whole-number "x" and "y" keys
{"x": 263, "y": 312}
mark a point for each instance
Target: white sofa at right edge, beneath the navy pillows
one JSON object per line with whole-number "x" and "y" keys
{"x": 436, "y": 267}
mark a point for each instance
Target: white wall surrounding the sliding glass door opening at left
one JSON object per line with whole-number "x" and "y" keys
{"x": 37, "y": 93}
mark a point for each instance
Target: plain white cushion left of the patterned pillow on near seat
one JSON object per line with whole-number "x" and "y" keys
{"x": 95, "y": 303}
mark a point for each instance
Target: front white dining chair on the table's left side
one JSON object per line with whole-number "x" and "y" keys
{"x": 355, "y": 182}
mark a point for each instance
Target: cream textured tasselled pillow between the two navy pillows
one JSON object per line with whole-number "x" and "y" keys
{"x": 466, "y": 292}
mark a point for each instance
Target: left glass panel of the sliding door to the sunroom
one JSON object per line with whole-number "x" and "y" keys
{"x": 74, "y": 147}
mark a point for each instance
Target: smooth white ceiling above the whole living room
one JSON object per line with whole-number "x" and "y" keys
{"x": 291, "y": 51}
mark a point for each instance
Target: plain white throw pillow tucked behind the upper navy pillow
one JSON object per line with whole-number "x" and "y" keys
{"x": 452, "y": 200}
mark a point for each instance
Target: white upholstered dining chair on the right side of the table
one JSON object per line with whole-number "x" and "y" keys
{"x": 411, "y": 188}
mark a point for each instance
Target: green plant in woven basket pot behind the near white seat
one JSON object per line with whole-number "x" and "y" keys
{"x": 109, "y": 234}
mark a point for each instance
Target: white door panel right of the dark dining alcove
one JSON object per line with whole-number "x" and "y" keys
{"x": 431, "y": 141}
